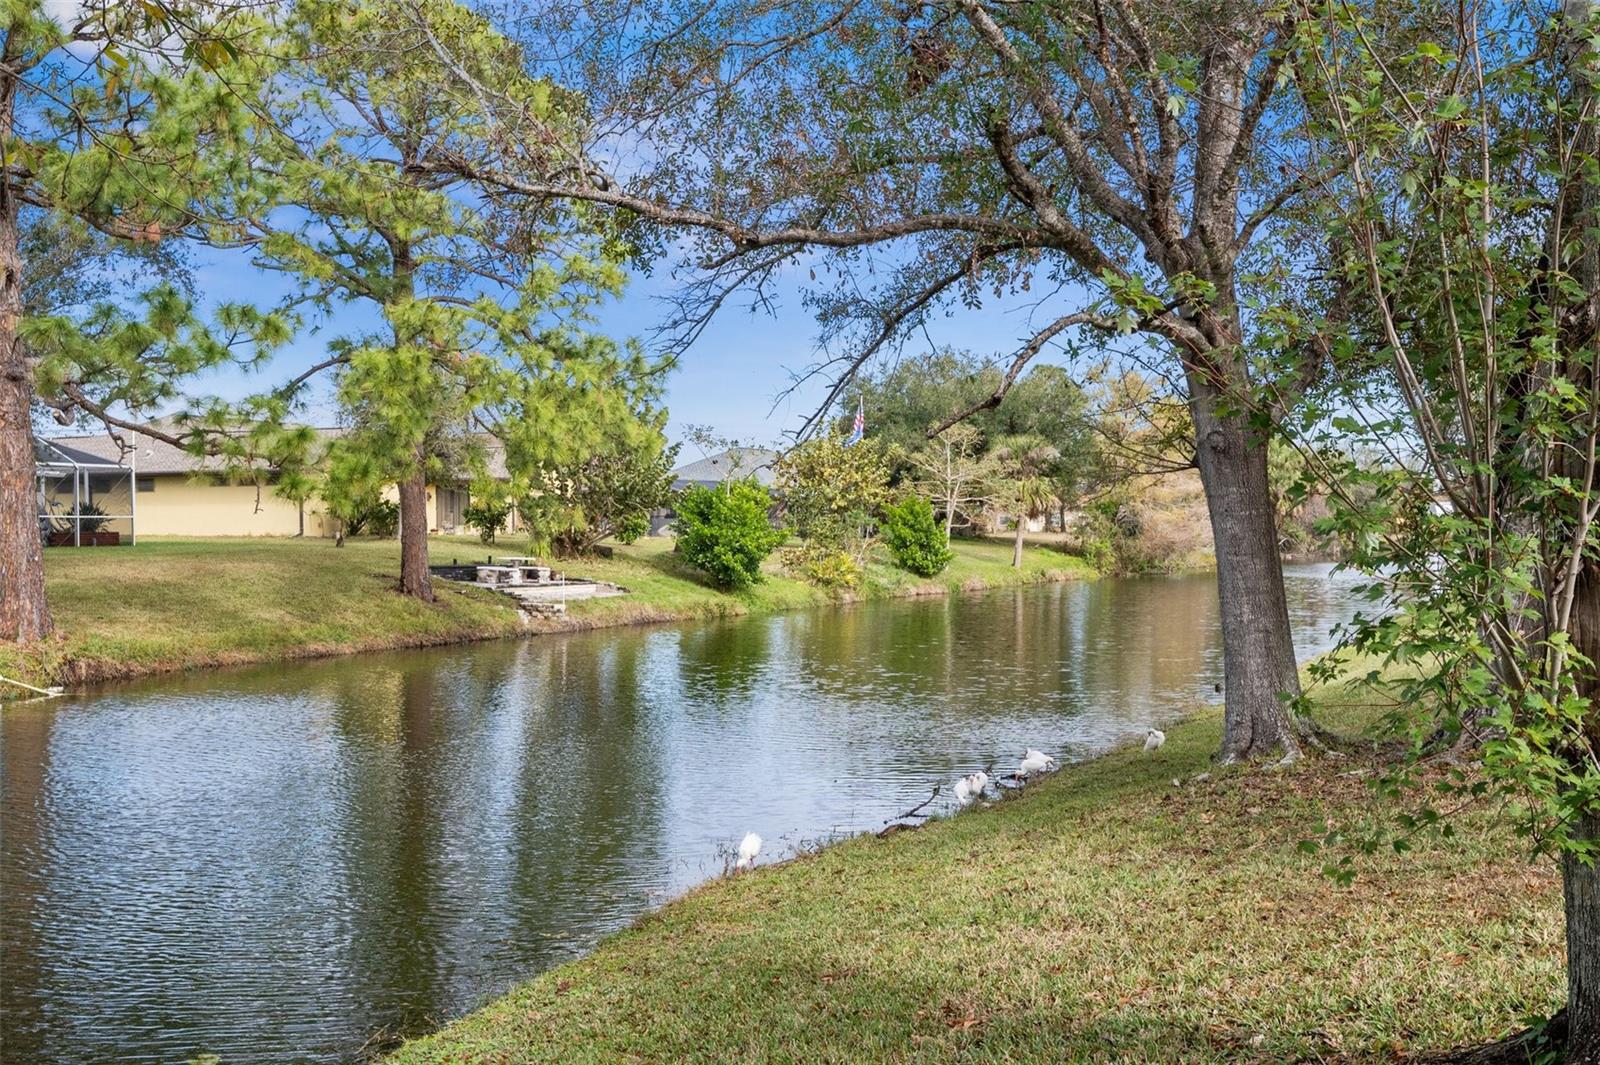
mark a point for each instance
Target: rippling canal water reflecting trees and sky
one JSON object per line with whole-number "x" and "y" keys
{"x": 281, "y": 864}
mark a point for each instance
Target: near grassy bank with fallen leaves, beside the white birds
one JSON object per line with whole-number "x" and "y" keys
{"x": 1105, "y": 917}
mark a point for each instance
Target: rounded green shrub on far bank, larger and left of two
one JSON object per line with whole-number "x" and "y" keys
{"x": 727, "y": 533}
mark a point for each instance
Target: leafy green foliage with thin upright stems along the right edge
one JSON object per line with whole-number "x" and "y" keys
{"x": 1478, "y": 535}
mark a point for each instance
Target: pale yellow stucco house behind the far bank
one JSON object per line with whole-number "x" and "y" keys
{"x": 175, "y": 493}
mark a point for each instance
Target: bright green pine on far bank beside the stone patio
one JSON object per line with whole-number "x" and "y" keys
{"x": 484, "y": 316}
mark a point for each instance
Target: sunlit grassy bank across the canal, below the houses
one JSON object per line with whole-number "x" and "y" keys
{"x": 186, "y": 604}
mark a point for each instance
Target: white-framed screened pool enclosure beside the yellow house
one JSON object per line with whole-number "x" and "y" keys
{"x": 84, "y": 500}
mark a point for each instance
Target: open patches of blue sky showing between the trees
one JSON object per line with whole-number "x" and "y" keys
{"x": 730, "y": 380}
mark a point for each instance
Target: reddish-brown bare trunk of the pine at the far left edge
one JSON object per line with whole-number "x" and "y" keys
{"x": 25, "y": 613}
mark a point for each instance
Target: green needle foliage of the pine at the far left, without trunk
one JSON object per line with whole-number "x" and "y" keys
{"x": 124, "y": 162}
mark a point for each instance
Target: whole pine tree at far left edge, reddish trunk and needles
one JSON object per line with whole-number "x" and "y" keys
{"x": 116, "y": 122}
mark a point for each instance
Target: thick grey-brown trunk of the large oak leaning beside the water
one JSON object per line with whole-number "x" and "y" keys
{"x": 1258, "y": 655}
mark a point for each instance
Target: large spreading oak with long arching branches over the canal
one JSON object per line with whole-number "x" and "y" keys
{"x": 1129, "y": 164}
